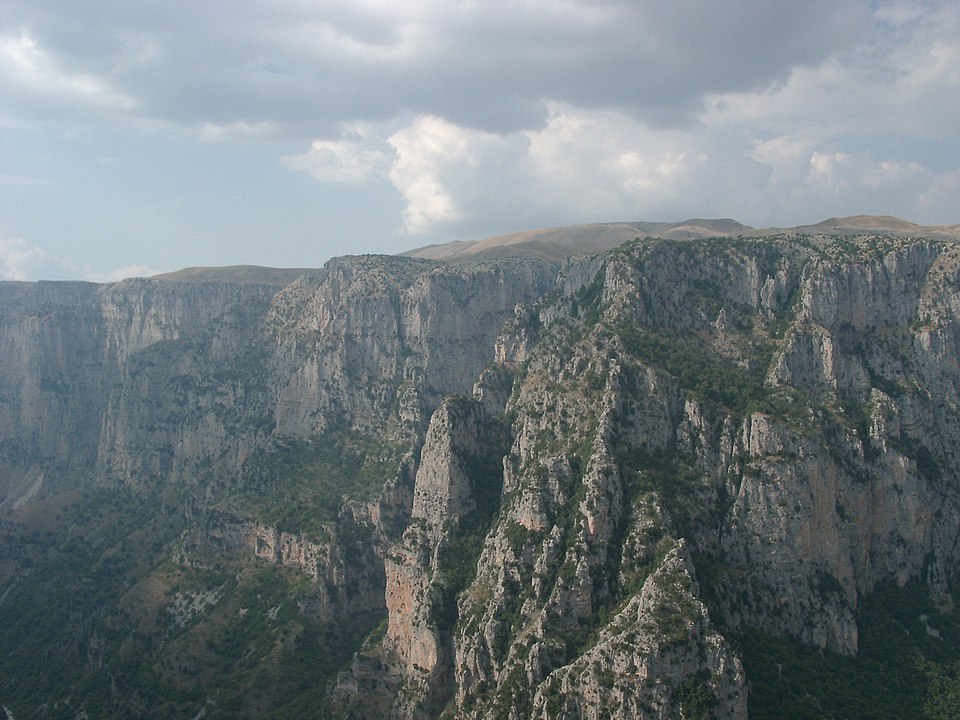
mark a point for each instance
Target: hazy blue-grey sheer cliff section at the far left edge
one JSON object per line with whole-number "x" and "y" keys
{"x": 96, "y": 379}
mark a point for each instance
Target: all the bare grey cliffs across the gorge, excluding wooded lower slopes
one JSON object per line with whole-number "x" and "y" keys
{"x": 568, "y": 487}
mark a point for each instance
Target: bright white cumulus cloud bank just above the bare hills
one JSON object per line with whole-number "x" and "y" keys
{"x": 597, "y": 165}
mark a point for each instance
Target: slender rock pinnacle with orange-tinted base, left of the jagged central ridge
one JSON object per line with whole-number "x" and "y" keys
{"x": 457, "y": 487}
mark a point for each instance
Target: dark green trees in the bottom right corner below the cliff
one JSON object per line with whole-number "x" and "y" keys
{"x": 908, "y": 666}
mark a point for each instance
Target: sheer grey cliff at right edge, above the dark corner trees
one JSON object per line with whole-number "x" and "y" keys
{"x": 837, "y": 495}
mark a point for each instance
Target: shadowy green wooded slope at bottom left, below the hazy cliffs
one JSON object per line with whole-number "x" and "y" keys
{"x": 100, "y": 621}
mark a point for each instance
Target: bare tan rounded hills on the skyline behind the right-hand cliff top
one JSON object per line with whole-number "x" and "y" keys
{"x": 556, "y": 242}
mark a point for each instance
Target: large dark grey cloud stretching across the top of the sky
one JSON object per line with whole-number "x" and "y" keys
{"x": 304, "y": 67}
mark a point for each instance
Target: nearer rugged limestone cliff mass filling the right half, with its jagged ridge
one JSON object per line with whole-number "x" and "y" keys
{"x": 738, "y": 406}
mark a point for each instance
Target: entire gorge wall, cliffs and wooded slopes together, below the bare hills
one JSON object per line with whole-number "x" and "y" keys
{"x": 689, "y": 477}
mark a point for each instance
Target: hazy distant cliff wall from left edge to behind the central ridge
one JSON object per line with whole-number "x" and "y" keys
{"x": 149, "y": 380}
